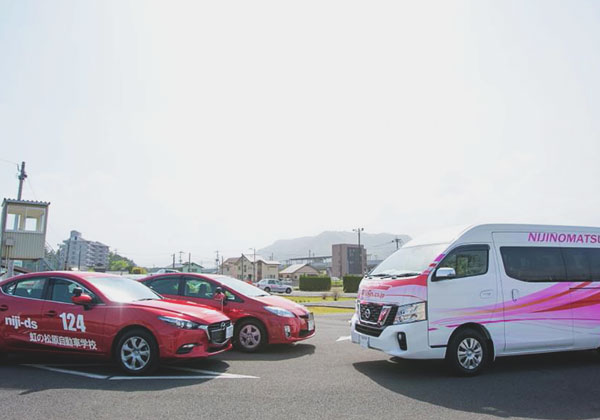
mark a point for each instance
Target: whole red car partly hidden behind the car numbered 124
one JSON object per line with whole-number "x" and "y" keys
{"x": 258, "y": 317}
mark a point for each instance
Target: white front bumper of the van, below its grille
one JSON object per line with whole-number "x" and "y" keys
{"x": 416, "y": 338}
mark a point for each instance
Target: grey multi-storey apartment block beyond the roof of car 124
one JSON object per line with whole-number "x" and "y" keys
{"x": 83, "y": 254}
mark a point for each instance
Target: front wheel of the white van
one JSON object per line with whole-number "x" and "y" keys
{"x": 468, "y": 352}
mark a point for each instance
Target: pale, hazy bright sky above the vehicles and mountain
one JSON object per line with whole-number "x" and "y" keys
{"x": 158, "y": 127}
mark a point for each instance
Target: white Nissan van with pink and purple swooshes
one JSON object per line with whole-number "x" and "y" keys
{"x": 472, "y": 294}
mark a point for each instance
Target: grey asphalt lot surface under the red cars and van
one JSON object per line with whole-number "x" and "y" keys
{"x": 325, "y": 377}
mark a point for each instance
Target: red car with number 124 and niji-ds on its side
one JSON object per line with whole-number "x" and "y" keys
{"x": 107, "y": 316}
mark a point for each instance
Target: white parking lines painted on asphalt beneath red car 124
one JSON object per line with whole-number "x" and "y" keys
{"x": 206, "y": 374}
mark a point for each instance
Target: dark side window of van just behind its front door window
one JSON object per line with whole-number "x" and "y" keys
{"x": 536, "y": 264}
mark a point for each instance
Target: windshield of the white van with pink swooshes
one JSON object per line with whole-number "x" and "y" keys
{"x": 409, "y": 261}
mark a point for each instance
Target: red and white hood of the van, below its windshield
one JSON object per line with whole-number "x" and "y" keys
{"x": 397, "y": 291}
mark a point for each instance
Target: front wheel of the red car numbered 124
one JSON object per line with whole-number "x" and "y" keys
{"x": 136, "y": 352}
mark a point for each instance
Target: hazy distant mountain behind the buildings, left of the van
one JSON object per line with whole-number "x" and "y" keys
{"x": 378, "y": 245}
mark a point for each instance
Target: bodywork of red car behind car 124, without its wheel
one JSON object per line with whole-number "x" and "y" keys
{"x": 238, "y": 306}
